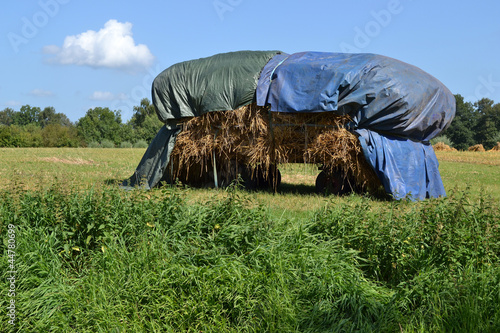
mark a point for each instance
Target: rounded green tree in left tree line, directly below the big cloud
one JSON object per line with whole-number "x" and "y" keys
{"x": 100, "y": 123}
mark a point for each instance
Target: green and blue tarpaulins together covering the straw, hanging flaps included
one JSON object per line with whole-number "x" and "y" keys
{"x": 395, "y": 108}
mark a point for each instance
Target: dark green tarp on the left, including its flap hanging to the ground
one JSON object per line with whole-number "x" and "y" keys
{"x": 221, "y": 82}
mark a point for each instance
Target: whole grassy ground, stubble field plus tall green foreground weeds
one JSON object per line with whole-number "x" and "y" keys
{"x": 89, "y": 257}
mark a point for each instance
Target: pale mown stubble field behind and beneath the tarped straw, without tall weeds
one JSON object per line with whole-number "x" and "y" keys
{"x": 35, "y": 168}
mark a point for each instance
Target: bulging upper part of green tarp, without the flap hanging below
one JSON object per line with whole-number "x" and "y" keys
{"x": 221, "y": 82}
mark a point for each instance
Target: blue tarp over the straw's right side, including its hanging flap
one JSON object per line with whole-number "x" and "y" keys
{"x": 396, "y": 108}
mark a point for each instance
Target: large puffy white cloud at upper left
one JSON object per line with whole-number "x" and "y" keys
{"x": 111, "y": 47}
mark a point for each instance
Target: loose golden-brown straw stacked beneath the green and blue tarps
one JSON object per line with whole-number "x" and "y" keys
{"x": 254, "y": 140}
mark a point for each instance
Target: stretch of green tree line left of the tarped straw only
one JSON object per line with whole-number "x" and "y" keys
{"x": 100, "y": 127}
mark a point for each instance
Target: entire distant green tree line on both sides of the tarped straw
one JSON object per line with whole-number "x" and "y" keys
{"x": 474, "y": 123}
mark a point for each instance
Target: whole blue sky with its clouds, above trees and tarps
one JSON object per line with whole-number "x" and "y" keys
{"x": 75, "y": 55}
